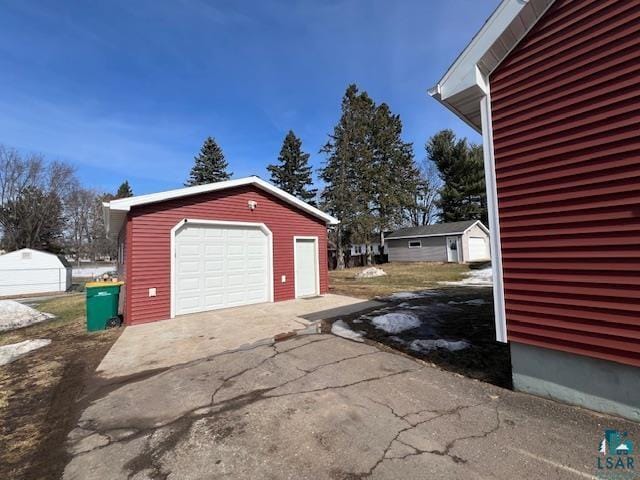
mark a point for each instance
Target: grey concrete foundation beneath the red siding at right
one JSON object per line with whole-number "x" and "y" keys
{"x": 595, "y": 384}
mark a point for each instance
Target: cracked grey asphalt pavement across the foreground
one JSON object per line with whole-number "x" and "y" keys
{"x": 322, "y": 407}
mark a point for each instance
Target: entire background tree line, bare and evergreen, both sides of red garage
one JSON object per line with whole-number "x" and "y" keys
{"x": 370, "y": 181}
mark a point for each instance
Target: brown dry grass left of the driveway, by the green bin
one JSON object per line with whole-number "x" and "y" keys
{"x": 39, "y": 392}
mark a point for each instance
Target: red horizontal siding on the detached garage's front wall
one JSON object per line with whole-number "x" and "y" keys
{"x": 148, "y": 261}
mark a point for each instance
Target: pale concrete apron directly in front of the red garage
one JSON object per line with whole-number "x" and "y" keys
{"x": 190, "y": 337}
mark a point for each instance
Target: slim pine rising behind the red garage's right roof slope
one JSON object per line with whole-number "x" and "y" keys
{"x": 293, "y": 173}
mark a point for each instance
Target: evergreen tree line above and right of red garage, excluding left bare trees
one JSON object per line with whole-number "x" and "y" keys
{"x": 371, "y": 180}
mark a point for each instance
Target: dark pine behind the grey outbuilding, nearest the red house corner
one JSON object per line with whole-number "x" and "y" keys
{"x": 461, "y": 168}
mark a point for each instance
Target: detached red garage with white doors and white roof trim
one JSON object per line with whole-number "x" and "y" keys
{"x": 214, "y": 246}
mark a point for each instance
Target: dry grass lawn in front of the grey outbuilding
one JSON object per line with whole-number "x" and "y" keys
{"x": 401, "y": 277}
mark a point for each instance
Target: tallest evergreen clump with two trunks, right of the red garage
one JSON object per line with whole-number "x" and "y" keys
{"x": 370, "y": 174}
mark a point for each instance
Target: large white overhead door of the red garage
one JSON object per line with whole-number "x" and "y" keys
{"x": 219, "y": 267}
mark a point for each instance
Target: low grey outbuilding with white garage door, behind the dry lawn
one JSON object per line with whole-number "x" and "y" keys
{"x": 457, "y": 242}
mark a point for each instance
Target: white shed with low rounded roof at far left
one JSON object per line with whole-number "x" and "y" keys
{"x": 30, "y": 271}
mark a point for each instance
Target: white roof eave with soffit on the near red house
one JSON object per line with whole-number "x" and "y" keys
{"x": 466, "y": 80}
